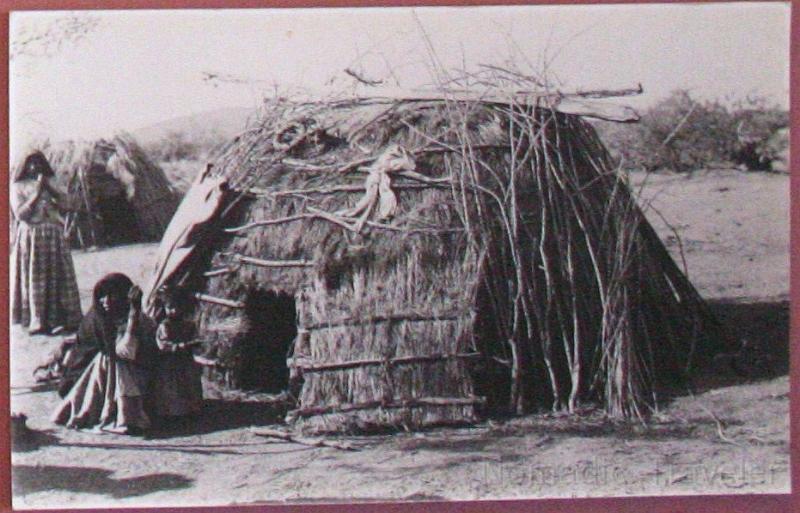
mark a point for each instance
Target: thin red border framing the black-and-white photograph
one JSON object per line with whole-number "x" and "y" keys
{"x": 672, "y": 504}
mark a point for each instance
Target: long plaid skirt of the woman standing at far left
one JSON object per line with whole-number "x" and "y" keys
{"x": 44, "y": 292}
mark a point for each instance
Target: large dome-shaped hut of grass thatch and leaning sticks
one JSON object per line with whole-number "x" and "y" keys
{"x": 443, "y": 257}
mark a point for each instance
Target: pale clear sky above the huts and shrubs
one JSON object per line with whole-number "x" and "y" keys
{"x": 131, "y": 69}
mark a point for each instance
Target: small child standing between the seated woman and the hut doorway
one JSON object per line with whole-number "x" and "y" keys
{"x": 177, "y": 388}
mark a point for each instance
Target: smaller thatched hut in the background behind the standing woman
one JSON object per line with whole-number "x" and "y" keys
{"x": 119, "y": 195}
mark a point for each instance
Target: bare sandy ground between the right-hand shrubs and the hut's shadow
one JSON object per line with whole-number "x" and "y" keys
{"x": 733, "y": 229}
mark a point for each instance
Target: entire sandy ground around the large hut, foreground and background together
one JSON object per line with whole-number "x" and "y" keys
{"x": 730, "y": 438}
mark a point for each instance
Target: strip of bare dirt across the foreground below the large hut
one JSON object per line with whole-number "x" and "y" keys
{"x": 683, "y": 453}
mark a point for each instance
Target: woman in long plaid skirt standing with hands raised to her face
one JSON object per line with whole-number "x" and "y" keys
{"x": 44, "y": 292}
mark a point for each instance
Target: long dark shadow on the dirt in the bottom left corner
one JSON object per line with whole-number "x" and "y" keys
{"x": 28, "y": 479}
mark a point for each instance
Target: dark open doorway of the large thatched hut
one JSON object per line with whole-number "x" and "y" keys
{"x": 272, "y": 324}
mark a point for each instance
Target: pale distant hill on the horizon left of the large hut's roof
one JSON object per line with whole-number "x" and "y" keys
{"x": 224, "y": 123}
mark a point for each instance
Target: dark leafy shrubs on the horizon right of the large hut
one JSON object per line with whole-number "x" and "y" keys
{"x": 682, "y": 134}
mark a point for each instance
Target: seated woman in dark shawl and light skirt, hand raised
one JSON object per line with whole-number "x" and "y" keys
{"x": 111, "y": 392}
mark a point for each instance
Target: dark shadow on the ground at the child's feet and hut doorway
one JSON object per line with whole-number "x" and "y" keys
{"x": 220, "y": 415}
